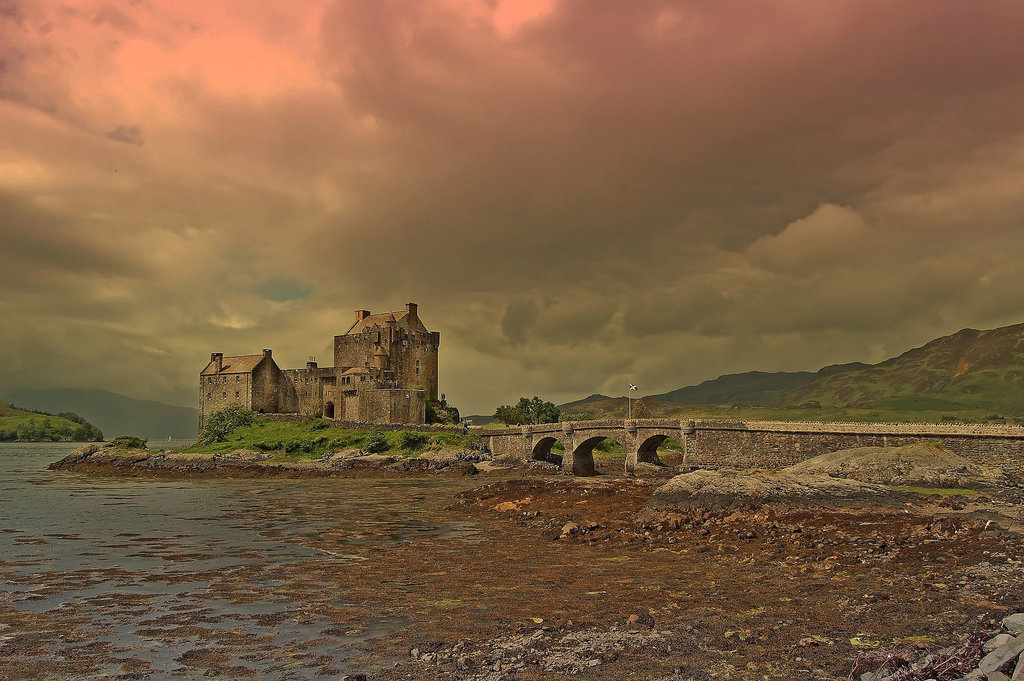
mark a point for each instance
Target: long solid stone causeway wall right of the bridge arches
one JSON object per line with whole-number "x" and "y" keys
{"x": 781, "y": 444}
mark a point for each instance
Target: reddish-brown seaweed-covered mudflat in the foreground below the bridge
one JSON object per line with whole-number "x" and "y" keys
{"x": 590, "y": 577}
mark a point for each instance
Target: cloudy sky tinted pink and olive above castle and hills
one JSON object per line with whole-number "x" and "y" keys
{"x": 578, "y": 194}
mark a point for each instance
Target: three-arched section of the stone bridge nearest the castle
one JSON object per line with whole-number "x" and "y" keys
{"x": 641, "y": 438}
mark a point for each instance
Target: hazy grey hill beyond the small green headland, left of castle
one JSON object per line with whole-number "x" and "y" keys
{"x": 114, "y": 414}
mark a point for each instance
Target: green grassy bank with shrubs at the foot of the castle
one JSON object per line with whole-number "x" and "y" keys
{"x": 295, "y": 441}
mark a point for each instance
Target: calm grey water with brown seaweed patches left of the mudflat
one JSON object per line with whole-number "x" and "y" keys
{"x": 159, "y": 578}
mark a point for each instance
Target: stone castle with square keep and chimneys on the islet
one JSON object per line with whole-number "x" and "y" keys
{"x": 386, "y": 370}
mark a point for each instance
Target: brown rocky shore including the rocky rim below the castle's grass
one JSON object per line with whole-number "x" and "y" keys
{"x": 713, "y": 575}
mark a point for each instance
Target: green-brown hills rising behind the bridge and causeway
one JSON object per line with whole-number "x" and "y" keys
{"x": 970, "y": 376}
